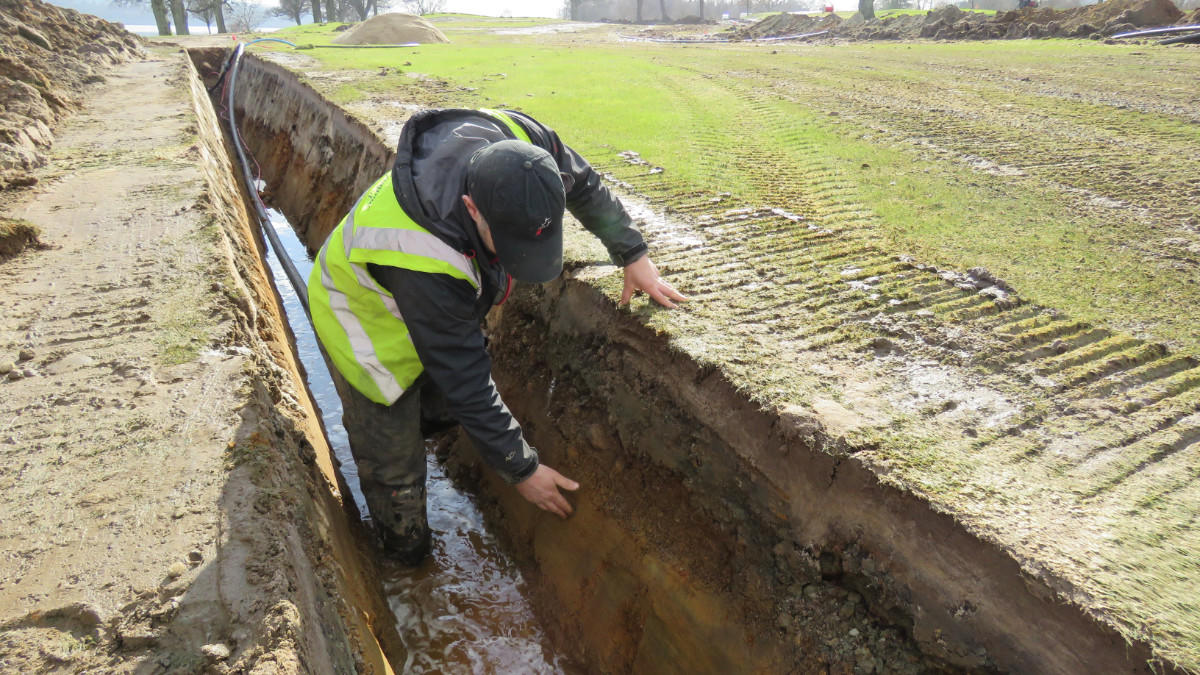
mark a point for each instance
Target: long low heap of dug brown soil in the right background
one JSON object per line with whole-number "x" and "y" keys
{"x": 1097, "y": 21}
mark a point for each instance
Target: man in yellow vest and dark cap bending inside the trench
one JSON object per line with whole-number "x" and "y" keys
{"x": 475, "y": 200}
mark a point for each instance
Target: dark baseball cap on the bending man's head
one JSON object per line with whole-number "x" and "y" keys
{"x": 520, "y": 193}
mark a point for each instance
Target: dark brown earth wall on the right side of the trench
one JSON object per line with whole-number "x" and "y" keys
{"x": 733, "y": 523}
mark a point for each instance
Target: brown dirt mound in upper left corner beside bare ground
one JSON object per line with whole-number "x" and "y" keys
{"x": 47, "y": 56}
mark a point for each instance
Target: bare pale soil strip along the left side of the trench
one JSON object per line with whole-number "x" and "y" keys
{"x": 167, "y": 494}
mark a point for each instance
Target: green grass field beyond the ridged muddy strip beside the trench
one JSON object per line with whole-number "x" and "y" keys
{"x": 1066, "y": 168}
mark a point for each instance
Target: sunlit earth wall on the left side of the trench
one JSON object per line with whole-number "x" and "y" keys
{"x": 296, "y": 506}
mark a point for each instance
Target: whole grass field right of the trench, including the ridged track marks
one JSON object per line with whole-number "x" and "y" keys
{"x": 1061, "y": 428}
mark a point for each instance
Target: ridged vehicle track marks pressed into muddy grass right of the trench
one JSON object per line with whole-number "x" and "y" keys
{"x": 1097, "y": 463}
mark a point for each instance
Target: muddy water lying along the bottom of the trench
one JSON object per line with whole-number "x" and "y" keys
{"x": 464, "y": 610}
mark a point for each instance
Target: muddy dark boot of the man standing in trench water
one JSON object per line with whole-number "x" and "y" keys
{"x": 400, "y": 522}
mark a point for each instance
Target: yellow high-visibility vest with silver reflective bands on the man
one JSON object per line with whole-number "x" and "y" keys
{"x": 356, "y": 319}
